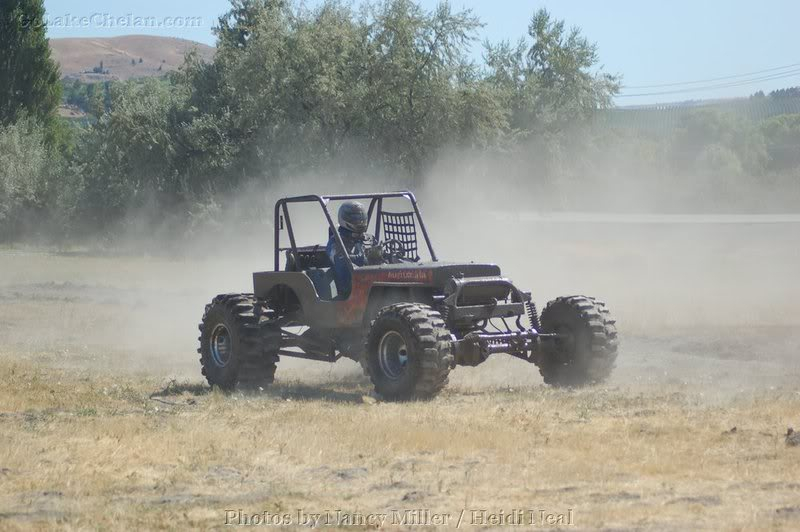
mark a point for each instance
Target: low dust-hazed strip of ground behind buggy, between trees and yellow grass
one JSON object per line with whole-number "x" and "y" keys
{"x": 712, "y": 304}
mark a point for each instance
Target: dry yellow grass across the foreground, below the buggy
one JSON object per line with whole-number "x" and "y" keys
{"x": 81, "y": 450}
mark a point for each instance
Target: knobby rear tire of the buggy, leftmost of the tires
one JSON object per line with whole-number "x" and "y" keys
{"x": 236, "y": 345}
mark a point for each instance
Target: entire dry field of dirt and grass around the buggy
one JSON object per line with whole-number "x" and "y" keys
{"x": 105, "y": 422}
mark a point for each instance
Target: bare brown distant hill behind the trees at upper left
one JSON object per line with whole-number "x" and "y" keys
{"x": 123, "y": 58}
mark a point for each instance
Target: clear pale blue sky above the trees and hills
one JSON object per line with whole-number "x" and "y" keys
{"x": 648, "y": 43}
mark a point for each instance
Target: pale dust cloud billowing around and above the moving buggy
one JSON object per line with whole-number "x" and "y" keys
{"x": 701, "y": 300}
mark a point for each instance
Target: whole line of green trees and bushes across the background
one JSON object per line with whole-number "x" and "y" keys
{"x": 383, "y": 88}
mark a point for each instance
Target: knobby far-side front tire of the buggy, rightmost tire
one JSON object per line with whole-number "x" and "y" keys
{"x": 588, "y": 354}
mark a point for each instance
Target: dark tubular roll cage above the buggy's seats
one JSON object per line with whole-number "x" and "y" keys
{"x": 399, "y": 224}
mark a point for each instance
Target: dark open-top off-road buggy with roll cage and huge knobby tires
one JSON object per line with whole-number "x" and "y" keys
{"x": 408, "y": 321}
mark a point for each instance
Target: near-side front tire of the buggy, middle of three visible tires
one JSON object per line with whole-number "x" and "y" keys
{"x": 408, "y": 353}
